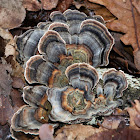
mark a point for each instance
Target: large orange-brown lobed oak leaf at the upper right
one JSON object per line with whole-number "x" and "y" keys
{"x": 127, "y": 22}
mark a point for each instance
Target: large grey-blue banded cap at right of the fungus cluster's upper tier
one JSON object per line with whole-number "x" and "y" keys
{"x": 96, "y": 37}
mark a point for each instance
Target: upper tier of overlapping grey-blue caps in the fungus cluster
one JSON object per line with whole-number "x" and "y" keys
{"x": 70, "y": 28}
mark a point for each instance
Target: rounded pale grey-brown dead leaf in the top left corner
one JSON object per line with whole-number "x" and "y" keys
{"x": 12, "y": 13}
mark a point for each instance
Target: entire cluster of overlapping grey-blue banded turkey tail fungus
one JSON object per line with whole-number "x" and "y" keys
{"x": 60, "y": 59}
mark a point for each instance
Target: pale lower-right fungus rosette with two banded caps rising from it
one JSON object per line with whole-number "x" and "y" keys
{"x": 77, "y": 102}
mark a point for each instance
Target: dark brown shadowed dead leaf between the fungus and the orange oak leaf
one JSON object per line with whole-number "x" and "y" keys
{"x": 121, "y": 56}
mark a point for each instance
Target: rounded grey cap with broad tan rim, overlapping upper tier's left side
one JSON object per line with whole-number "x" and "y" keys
{"x": 52, "y": 45}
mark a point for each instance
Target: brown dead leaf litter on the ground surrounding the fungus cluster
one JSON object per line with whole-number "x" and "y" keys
{"x": 11, "y": 97}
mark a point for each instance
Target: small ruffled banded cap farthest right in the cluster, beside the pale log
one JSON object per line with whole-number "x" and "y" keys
{"x": 114, "y": 83}
